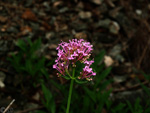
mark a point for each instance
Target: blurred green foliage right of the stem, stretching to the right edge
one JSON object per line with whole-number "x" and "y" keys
{"x": 94, "y": 98}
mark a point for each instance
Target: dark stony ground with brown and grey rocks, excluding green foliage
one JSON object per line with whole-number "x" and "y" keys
{"x": 121, "y": 27}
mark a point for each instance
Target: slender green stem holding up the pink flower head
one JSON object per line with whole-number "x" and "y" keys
{"x": 70, "y": 91}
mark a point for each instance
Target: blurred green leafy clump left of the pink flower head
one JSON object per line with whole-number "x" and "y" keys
{"x": 26, "y": 61}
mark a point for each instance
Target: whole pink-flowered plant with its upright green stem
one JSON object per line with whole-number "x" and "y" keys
{"x": 68, "y": 56}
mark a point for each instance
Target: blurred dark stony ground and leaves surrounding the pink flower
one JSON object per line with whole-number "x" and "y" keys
{"x": 30, "y": 31}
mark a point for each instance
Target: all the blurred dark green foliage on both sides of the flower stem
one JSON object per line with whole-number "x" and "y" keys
{"x": 91, "y": 97}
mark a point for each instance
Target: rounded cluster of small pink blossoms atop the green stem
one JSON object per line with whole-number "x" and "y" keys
{"x": 70, "y": 53}
